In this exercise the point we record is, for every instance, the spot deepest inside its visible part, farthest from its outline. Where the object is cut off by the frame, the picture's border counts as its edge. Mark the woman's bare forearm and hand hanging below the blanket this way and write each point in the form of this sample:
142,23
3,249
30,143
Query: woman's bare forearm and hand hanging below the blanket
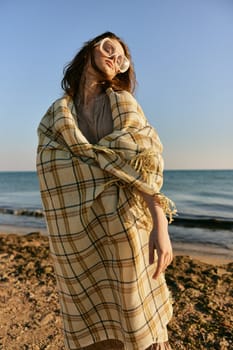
159,239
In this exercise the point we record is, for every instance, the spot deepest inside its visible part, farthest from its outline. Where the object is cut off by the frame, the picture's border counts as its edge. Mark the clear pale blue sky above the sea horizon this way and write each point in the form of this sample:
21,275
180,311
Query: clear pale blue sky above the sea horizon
183,56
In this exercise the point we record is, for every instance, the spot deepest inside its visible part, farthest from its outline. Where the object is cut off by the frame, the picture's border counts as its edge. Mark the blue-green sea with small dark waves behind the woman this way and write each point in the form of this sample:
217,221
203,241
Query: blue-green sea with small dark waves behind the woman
204,200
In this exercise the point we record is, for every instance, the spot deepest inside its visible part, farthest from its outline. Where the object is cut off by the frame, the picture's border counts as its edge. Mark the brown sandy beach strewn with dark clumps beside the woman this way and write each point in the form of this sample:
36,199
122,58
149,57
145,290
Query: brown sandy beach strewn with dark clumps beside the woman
200,282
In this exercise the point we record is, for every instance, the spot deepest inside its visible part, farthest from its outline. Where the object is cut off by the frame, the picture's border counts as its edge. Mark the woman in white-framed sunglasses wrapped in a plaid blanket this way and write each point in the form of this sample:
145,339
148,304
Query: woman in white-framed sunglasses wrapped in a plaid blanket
100,170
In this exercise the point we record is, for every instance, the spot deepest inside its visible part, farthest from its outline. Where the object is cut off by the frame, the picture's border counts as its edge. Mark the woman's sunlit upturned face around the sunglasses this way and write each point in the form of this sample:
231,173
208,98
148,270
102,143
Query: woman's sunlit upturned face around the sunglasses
107,63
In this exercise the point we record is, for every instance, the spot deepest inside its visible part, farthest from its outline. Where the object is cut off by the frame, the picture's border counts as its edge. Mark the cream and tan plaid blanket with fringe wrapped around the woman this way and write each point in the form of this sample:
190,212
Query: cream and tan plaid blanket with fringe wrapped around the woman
98,224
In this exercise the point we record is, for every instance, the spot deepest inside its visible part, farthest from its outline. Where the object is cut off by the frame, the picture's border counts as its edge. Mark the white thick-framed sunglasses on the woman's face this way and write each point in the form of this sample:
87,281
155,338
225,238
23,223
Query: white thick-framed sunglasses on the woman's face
108,49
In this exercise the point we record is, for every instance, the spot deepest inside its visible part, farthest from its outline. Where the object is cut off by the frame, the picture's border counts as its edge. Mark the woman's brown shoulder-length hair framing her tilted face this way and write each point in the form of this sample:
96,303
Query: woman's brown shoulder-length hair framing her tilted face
73,71
